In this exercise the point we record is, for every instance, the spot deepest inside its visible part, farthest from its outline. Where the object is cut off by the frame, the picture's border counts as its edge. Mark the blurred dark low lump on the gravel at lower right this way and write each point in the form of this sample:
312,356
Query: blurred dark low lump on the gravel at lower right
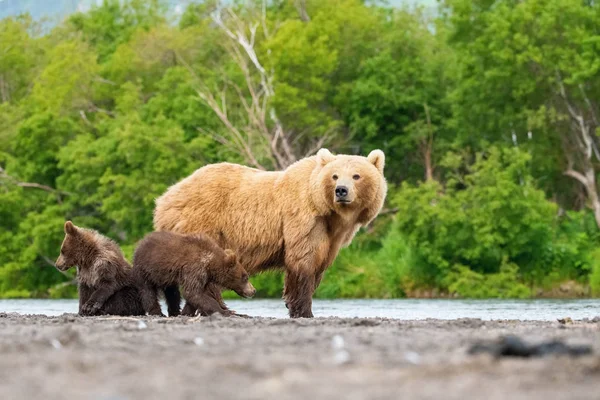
512,346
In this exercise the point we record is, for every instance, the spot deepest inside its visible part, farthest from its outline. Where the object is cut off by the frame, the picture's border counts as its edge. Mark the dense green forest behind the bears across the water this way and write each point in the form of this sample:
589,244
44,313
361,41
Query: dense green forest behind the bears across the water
487,112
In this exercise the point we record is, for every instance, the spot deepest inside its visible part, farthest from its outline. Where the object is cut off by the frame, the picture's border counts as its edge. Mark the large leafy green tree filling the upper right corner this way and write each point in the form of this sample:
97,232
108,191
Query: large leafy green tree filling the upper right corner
530,72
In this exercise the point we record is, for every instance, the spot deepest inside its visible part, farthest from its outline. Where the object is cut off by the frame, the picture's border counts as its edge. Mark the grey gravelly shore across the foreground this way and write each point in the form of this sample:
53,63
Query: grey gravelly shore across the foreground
72,357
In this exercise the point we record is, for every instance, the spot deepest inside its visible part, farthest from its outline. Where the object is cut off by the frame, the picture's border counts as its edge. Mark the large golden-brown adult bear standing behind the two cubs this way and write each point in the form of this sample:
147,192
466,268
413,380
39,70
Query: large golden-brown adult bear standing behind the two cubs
297,219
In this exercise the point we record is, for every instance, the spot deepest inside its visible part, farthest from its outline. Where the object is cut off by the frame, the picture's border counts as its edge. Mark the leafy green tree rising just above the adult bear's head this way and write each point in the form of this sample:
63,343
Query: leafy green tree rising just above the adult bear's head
398,101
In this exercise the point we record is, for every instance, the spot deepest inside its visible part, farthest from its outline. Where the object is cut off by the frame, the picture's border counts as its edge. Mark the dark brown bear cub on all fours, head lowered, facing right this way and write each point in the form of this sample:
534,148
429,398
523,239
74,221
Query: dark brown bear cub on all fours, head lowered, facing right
165,261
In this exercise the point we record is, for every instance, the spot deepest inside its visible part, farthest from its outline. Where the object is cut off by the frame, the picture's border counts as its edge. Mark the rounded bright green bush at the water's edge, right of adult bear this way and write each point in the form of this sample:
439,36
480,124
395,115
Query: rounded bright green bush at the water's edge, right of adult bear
485,230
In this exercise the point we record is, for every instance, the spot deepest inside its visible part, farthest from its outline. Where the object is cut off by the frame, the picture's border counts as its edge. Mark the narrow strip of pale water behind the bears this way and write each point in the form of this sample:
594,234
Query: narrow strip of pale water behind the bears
541,310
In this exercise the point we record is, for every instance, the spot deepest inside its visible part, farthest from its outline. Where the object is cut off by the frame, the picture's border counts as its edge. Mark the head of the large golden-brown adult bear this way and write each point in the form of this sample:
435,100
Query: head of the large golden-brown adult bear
344,183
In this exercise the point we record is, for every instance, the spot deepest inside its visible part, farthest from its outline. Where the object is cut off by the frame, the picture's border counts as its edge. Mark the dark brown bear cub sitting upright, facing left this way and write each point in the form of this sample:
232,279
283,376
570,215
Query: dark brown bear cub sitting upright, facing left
104,277
